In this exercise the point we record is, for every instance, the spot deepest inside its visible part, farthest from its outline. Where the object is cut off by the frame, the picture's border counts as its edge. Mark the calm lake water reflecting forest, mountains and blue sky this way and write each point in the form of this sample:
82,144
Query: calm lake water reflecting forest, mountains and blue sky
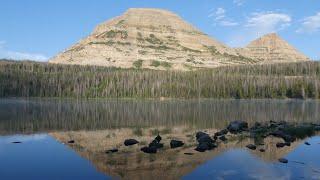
43,128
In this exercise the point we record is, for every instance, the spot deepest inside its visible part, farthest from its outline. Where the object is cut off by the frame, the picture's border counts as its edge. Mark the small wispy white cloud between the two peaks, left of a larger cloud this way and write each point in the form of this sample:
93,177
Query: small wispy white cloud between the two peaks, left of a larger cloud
219,16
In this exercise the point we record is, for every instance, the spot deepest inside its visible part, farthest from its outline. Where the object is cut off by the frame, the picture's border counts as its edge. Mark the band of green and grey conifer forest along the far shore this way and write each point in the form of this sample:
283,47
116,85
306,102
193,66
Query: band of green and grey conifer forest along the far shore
30,79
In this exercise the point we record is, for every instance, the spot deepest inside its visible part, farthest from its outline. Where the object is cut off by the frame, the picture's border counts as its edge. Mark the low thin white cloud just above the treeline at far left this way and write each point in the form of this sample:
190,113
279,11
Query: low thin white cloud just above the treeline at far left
8,54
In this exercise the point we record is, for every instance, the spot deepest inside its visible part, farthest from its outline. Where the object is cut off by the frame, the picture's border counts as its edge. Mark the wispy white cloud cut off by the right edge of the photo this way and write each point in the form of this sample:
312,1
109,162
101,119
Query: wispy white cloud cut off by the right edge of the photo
310,24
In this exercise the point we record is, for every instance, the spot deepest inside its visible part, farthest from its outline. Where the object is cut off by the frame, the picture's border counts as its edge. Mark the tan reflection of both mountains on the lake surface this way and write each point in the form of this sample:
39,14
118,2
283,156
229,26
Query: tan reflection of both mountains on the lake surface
132,163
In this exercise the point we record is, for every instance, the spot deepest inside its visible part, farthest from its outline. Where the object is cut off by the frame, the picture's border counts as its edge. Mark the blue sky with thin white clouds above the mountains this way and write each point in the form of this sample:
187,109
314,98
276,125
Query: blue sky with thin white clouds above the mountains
38,29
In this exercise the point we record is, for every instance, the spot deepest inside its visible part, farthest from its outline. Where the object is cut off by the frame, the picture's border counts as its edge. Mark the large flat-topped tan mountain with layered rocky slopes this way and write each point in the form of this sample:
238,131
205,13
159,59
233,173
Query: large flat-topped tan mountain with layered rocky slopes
149,38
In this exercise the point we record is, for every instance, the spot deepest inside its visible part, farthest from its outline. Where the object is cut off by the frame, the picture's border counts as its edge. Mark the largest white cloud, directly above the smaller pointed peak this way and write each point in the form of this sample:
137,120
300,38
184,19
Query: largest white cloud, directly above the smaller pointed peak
259,24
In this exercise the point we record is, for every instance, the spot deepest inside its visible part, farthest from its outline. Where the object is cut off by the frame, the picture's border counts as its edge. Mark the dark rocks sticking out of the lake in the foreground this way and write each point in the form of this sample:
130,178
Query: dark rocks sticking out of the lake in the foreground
283,130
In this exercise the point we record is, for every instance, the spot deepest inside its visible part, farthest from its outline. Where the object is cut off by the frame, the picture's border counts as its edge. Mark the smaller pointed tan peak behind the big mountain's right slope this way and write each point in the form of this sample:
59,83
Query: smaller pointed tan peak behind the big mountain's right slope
272,48
